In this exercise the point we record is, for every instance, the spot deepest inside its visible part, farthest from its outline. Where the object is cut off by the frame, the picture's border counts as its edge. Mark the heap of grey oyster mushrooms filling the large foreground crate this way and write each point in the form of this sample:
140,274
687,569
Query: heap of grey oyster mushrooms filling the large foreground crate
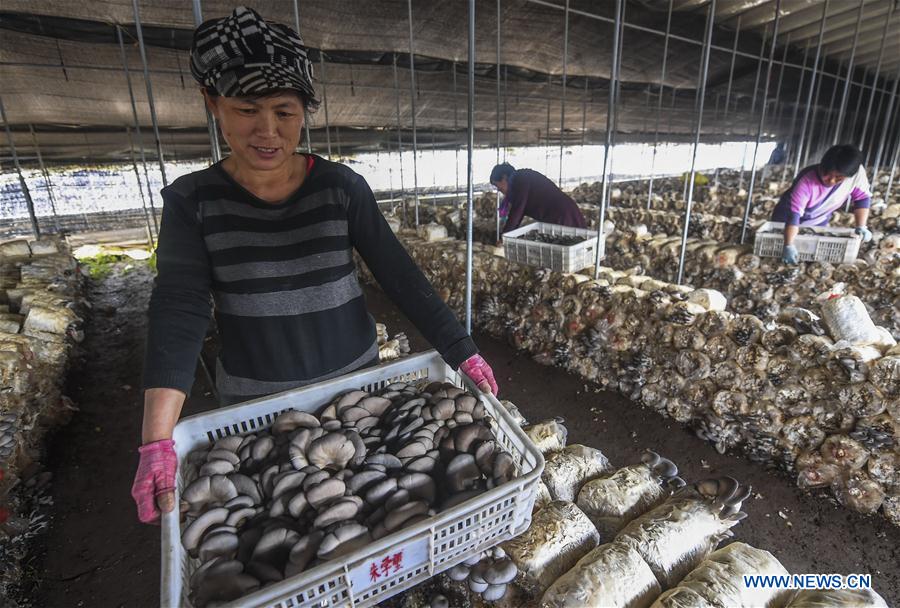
266,506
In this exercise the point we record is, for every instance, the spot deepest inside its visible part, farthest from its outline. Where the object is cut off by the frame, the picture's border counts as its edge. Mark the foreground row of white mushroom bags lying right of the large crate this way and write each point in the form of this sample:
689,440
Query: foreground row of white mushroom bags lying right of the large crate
639,536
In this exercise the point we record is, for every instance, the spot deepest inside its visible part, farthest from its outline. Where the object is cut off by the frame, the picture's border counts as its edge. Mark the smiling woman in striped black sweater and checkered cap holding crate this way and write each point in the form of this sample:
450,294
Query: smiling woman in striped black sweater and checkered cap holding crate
269,234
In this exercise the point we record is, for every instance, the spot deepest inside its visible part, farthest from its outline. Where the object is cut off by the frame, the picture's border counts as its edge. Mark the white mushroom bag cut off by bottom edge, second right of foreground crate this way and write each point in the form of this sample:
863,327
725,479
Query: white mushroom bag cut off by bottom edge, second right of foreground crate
613,574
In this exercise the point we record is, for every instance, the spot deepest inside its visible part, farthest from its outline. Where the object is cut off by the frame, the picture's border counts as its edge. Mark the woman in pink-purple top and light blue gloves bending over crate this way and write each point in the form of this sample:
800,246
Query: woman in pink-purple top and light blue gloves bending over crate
820,190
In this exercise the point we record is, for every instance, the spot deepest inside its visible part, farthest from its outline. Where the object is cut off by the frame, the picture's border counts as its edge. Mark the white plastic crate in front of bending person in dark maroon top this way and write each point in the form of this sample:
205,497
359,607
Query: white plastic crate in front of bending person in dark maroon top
562,258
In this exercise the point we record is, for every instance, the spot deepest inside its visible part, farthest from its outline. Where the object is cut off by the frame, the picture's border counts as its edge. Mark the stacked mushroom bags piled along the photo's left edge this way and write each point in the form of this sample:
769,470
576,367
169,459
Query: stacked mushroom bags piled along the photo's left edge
42,305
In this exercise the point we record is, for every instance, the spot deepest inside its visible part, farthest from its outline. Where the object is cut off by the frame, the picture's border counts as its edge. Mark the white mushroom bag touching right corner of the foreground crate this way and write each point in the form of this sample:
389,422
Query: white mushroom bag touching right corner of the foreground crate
559,536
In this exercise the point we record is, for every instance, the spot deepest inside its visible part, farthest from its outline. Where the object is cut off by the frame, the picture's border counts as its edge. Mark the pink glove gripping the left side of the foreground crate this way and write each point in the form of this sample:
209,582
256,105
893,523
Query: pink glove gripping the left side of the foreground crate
155,477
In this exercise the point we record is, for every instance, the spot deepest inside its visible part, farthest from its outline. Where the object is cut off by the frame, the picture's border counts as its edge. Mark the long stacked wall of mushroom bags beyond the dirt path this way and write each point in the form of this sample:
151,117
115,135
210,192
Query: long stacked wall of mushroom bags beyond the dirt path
814,391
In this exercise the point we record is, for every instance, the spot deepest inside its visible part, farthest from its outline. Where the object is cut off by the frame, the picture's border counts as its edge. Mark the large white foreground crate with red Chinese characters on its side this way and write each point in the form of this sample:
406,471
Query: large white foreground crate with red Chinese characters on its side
428,547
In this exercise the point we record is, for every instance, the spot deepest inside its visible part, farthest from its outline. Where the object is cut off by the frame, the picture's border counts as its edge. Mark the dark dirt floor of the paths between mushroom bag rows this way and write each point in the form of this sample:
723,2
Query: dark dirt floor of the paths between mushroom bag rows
97,554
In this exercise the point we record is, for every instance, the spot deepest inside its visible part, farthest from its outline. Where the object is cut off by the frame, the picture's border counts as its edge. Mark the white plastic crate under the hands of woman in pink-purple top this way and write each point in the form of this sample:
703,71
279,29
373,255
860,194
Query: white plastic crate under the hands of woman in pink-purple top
769,243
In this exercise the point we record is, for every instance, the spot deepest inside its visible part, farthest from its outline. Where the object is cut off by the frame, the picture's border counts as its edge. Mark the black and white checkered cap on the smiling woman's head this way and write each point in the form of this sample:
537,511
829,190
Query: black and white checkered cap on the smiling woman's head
244,55
